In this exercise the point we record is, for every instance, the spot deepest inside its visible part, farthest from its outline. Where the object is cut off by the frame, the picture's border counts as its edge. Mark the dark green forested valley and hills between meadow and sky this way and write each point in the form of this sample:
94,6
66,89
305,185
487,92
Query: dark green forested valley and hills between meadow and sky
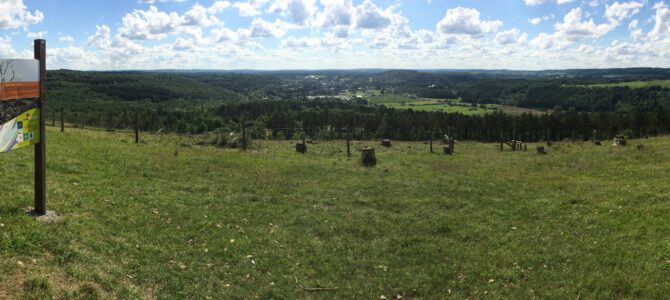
283,104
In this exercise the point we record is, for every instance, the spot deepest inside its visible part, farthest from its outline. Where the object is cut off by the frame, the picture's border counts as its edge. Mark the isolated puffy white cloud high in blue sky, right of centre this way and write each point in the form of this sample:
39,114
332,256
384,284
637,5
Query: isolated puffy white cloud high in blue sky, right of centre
466,21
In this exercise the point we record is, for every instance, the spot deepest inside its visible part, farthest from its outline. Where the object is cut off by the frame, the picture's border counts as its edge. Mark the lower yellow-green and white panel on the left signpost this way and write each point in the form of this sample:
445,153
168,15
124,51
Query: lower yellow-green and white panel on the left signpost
22,131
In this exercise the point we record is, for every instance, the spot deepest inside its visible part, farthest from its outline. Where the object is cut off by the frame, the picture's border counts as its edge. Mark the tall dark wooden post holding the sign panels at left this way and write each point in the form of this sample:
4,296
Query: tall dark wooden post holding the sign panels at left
40,148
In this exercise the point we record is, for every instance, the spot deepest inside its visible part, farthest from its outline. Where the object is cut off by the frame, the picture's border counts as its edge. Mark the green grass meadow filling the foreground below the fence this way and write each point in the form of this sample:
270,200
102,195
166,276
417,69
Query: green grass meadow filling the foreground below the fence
139,222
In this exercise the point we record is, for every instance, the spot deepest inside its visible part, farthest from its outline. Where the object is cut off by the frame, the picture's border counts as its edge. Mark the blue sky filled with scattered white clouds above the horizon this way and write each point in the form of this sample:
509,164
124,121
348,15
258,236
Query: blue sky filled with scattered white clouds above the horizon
338,34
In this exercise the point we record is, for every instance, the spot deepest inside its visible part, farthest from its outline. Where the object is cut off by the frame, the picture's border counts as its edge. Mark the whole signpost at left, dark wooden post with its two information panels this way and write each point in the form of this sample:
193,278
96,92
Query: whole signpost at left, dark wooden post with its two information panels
23,79
